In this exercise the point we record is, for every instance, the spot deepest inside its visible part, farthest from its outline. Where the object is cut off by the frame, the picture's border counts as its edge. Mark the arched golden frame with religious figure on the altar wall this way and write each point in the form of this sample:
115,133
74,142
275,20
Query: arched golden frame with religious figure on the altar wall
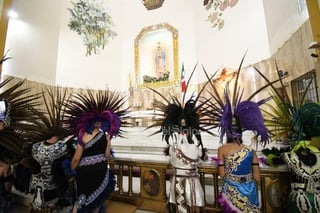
156,56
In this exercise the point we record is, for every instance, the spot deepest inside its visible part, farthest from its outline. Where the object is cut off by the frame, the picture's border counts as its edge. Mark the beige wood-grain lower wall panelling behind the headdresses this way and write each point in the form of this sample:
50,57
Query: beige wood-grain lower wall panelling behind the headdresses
293,57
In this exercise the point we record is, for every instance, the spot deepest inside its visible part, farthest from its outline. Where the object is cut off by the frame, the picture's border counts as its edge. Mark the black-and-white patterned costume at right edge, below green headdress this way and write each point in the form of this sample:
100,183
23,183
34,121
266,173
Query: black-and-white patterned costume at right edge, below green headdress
305,192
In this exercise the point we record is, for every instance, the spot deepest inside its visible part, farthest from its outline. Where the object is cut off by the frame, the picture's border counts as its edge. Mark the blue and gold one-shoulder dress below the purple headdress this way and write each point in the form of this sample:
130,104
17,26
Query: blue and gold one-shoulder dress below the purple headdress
239,193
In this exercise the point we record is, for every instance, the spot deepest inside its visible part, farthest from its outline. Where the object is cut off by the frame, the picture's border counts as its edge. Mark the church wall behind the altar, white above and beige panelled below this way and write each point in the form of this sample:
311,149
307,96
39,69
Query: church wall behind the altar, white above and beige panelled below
46,51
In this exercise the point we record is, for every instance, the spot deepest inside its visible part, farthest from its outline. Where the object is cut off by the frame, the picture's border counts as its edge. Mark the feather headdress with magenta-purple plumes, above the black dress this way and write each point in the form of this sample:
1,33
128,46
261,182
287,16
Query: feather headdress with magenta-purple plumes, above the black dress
105,106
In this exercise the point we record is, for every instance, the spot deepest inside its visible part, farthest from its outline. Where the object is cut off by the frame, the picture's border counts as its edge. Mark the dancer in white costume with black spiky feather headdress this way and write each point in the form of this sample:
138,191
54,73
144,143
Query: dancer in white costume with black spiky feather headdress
180,127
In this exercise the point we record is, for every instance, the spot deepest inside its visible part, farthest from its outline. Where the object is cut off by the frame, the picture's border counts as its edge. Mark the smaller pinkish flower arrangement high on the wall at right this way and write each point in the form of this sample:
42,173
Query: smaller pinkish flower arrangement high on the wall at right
218,6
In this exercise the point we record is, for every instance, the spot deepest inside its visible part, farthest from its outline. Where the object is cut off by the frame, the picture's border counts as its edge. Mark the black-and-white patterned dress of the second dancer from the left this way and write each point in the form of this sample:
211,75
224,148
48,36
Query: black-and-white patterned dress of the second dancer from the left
43,184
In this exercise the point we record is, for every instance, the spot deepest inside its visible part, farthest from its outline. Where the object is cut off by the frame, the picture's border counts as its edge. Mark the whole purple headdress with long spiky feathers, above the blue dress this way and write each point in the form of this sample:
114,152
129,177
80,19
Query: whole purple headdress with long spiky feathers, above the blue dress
232,115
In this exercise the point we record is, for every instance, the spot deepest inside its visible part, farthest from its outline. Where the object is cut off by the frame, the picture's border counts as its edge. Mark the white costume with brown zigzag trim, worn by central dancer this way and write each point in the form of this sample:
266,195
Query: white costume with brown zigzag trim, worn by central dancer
185,188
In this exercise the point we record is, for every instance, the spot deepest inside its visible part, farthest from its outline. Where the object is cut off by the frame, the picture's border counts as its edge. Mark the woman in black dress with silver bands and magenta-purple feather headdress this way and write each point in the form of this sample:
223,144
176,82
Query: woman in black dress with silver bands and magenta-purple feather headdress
95,119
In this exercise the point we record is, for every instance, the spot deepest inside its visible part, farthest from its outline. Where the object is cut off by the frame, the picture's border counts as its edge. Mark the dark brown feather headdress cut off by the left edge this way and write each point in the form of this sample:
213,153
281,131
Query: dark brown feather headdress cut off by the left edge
18,117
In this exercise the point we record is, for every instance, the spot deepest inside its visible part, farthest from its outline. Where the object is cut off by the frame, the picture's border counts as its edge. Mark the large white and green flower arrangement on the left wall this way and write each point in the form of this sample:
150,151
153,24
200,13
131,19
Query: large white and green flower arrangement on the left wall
92,23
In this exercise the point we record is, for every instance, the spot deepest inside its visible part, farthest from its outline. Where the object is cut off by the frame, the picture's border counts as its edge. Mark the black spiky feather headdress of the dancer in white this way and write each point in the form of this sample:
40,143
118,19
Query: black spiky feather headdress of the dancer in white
173,111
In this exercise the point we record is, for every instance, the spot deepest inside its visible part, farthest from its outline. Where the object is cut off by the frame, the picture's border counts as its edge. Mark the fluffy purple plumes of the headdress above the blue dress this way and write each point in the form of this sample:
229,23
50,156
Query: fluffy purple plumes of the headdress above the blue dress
244,115
